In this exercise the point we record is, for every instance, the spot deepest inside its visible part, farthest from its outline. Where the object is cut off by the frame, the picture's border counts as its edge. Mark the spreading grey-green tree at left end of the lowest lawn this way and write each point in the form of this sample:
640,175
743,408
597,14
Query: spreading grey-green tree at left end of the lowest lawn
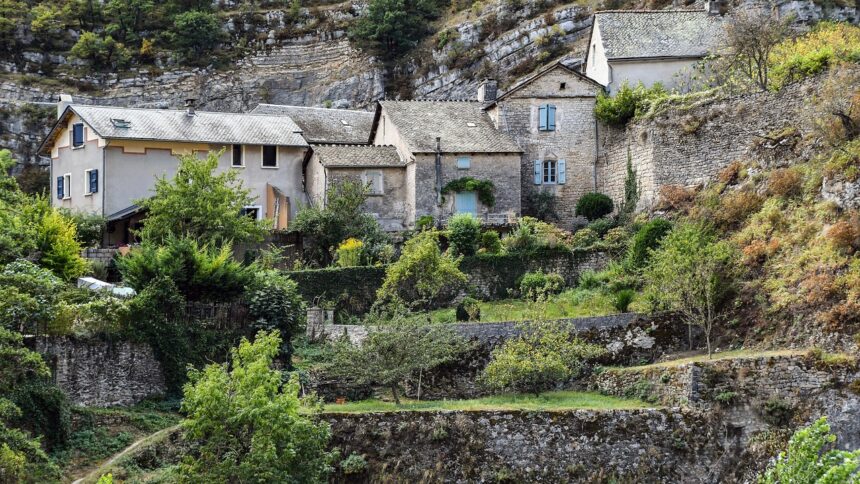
395,351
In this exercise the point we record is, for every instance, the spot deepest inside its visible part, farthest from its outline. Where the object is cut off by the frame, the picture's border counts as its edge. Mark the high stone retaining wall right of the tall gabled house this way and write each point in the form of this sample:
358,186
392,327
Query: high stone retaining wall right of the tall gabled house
690,146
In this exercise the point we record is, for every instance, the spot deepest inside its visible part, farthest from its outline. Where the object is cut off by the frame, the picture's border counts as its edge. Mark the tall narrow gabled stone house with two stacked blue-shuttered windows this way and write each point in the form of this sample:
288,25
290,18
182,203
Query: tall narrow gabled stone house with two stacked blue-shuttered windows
550,115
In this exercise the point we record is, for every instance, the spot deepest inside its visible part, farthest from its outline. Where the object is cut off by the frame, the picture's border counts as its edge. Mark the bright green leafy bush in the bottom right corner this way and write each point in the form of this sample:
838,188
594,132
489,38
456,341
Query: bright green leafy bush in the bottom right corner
811,459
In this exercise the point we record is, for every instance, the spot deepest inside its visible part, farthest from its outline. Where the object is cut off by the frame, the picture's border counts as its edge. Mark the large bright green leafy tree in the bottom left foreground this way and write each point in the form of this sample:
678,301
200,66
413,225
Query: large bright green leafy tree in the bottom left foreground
246,422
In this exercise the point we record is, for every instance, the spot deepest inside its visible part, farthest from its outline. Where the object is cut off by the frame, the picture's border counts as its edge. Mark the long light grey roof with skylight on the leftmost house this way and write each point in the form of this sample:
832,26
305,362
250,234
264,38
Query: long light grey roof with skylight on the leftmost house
202,127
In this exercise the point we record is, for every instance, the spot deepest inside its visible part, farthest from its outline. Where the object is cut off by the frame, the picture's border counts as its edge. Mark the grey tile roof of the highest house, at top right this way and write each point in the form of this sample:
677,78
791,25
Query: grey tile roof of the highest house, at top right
668,33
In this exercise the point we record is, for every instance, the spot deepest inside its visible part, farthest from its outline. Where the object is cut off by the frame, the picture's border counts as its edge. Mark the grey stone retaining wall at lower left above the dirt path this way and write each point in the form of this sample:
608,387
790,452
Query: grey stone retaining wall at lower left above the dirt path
102,373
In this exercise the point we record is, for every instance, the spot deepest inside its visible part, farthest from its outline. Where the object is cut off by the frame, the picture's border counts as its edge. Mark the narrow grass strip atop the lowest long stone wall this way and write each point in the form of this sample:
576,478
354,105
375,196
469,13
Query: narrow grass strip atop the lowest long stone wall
552,401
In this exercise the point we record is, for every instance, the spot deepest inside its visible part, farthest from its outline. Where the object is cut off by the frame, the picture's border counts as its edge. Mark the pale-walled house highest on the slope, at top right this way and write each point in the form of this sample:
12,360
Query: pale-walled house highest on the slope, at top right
651,46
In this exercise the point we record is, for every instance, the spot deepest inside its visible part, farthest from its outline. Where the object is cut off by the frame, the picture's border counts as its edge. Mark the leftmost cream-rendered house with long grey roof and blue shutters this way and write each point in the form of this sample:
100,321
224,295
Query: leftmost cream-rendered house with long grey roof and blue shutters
104,158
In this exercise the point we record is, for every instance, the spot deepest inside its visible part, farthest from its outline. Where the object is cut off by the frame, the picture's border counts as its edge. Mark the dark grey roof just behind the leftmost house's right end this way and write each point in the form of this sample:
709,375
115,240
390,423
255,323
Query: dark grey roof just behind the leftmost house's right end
322,125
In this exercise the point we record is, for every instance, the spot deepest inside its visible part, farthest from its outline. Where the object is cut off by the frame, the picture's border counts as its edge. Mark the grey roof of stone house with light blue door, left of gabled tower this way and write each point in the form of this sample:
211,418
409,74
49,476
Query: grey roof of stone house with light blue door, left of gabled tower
463,127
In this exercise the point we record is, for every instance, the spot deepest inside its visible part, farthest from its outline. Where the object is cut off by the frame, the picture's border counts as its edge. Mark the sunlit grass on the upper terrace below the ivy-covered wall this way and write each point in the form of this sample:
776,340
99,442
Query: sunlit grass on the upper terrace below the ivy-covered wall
572,303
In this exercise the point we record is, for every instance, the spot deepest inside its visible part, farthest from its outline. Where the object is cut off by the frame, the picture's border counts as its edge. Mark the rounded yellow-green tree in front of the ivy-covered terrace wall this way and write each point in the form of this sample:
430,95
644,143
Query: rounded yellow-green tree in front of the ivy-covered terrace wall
423,276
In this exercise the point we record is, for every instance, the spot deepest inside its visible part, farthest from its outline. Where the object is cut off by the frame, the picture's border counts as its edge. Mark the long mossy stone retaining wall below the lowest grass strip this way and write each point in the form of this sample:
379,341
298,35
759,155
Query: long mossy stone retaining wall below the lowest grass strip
572,446
